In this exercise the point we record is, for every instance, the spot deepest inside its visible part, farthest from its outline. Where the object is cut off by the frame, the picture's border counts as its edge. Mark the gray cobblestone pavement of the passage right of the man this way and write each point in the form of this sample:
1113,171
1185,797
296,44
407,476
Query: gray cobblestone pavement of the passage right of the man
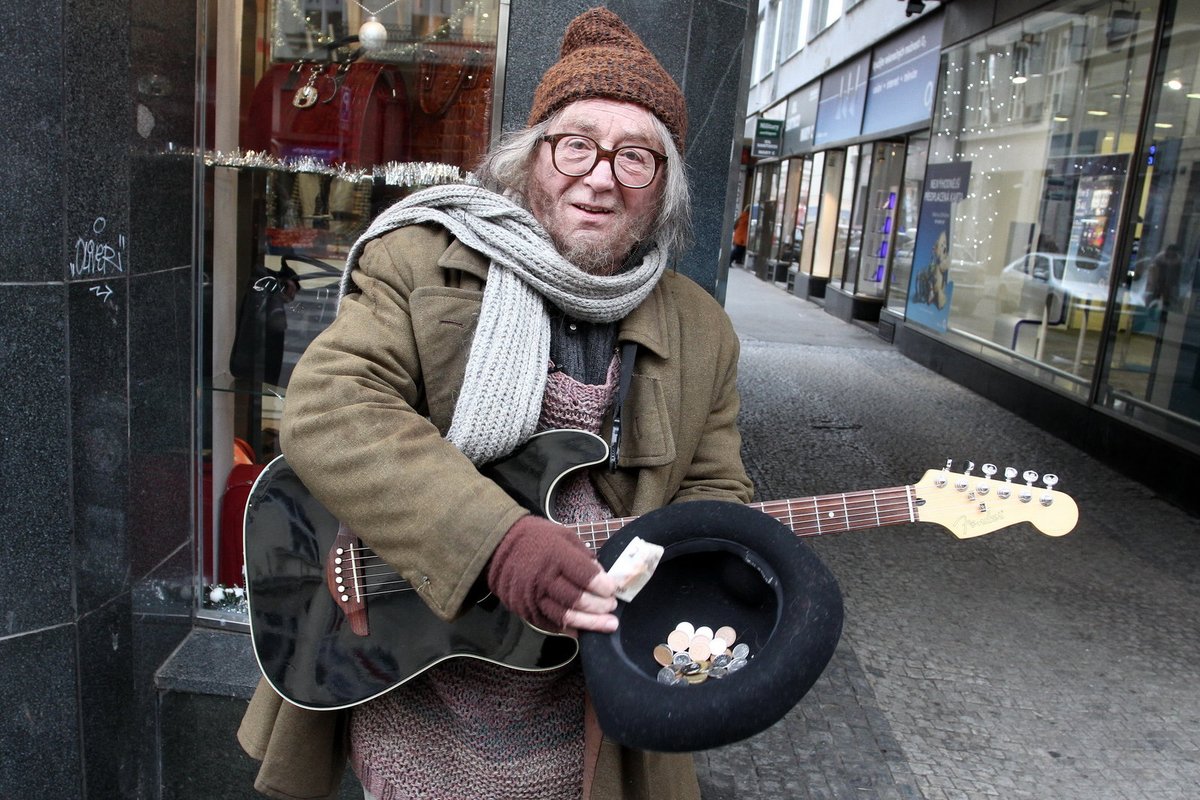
1010,666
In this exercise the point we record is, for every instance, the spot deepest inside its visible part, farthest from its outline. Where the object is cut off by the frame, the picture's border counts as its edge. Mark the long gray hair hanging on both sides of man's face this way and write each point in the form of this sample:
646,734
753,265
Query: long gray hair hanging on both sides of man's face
509,163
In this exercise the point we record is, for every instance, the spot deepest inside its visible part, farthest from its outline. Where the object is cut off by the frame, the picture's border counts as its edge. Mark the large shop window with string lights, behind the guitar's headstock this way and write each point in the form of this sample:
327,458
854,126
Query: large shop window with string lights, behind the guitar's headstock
1034,143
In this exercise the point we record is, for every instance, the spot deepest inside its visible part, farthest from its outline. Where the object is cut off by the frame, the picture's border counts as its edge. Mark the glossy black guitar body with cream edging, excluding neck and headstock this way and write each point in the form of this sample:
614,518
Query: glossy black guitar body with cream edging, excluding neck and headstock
304,640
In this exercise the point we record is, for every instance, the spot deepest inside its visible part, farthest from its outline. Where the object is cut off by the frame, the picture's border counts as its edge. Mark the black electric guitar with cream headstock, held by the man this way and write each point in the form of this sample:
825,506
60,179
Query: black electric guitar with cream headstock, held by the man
333,625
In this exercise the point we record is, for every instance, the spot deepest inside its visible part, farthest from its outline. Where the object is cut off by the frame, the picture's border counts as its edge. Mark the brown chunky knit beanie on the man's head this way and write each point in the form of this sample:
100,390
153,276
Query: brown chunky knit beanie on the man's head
603,58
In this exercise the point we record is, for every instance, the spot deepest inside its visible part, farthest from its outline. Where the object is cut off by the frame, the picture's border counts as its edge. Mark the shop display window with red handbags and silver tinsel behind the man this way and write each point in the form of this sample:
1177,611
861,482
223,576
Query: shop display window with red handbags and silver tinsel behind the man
317,116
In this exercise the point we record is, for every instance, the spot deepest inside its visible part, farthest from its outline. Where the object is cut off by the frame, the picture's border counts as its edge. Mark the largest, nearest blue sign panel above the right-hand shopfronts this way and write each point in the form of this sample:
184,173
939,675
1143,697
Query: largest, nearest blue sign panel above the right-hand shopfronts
904,77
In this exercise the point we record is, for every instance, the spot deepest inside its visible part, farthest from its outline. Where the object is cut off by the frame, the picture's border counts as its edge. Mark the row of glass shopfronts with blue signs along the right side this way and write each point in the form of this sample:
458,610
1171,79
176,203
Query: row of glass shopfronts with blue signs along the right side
1005,191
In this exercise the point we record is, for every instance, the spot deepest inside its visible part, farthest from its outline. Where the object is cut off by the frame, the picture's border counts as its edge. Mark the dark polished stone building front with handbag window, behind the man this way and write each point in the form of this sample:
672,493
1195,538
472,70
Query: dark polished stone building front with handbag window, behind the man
185,177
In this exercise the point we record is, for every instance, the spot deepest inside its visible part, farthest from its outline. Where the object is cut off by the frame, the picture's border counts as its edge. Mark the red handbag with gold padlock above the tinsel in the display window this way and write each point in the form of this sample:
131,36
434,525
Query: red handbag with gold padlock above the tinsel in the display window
349,113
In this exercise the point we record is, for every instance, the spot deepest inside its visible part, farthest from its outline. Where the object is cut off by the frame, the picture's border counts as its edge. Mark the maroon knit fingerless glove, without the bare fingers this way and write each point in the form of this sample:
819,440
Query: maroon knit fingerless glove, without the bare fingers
541,570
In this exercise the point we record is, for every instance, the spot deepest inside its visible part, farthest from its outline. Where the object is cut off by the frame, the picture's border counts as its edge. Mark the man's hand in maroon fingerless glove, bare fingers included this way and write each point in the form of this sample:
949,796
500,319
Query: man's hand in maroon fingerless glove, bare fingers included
545,575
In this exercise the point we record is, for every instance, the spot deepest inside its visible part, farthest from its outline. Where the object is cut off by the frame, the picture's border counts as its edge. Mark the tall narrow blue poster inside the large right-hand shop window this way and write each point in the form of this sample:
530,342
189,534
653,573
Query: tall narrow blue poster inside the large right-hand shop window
932,287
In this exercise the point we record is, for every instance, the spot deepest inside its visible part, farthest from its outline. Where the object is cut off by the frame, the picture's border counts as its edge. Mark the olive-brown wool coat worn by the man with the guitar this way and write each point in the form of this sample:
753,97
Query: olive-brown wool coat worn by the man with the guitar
376,390
